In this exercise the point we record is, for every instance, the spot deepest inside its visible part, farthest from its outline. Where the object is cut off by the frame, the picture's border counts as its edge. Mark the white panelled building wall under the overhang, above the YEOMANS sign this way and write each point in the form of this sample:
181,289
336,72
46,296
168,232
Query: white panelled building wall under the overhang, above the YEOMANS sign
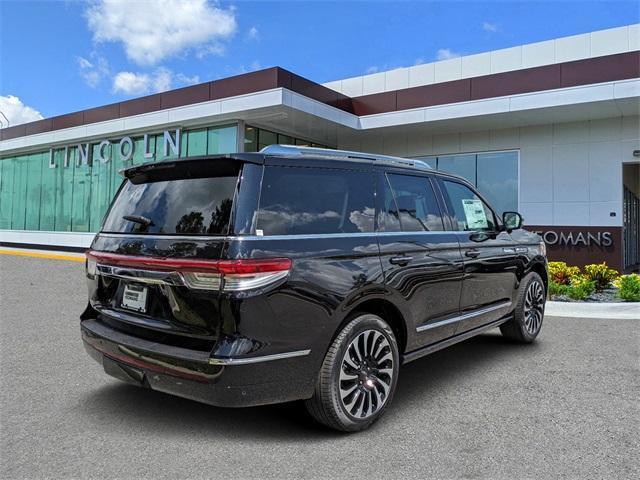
570,173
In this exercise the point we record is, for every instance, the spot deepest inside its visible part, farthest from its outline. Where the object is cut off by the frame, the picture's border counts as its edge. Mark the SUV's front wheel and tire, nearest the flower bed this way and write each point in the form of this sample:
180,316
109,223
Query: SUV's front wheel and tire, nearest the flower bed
526,323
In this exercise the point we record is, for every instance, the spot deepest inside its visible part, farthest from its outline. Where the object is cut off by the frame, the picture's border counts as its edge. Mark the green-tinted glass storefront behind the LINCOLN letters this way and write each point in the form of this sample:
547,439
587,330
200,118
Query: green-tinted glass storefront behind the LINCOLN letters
74,197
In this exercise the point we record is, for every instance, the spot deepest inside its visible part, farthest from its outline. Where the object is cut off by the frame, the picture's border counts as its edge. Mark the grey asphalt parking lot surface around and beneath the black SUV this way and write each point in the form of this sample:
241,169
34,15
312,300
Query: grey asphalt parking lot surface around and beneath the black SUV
567,406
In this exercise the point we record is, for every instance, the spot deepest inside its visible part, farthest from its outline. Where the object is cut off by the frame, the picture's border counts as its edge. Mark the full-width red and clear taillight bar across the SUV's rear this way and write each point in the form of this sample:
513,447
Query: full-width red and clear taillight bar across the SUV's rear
203,274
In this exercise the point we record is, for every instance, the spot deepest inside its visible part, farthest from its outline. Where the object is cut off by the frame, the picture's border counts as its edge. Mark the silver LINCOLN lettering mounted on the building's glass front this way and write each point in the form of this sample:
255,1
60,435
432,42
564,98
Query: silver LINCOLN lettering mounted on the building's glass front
124,149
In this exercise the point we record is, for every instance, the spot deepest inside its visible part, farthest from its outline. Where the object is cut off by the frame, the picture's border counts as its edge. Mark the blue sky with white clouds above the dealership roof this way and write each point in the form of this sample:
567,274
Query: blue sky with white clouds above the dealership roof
62,56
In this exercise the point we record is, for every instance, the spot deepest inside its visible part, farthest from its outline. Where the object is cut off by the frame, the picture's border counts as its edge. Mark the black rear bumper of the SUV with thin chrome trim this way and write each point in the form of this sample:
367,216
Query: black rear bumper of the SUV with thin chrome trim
225,382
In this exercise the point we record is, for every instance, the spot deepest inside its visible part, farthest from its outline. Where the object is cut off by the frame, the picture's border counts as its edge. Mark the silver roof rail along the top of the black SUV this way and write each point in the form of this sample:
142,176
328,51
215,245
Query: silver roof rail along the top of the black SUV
295,151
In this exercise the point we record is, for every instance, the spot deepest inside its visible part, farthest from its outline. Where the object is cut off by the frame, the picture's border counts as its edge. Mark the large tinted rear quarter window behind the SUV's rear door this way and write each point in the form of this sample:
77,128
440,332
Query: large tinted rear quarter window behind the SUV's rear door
297,200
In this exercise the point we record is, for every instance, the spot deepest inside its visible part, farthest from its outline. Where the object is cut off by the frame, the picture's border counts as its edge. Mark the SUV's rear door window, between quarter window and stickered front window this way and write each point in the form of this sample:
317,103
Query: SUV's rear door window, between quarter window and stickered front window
417,207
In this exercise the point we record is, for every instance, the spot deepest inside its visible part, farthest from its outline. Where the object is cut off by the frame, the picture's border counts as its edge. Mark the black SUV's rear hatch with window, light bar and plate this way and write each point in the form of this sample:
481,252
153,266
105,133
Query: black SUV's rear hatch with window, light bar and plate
155,269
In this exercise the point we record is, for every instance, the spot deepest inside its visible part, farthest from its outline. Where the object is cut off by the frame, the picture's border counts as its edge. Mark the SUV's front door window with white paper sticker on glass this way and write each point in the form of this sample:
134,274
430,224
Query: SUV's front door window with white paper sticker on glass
469,211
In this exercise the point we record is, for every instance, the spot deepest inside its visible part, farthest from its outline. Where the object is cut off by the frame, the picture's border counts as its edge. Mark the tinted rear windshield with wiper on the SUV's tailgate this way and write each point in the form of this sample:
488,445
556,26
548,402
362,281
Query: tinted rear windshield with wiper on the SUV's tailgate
181,206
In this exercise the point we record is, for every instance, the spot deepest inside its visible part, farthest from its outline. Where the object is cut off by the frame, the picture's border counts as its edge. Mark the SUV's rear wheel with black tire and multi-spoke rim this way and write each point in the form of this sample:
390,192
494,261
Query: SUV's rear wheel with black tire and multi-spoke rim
351,393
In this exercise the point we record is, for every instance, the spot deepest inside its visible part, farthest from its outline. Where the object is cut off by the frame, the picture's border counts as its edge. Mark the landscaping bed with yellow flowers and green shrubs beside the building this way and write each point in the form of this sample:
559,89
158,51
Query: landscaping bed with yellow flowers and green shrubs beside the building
594,283
